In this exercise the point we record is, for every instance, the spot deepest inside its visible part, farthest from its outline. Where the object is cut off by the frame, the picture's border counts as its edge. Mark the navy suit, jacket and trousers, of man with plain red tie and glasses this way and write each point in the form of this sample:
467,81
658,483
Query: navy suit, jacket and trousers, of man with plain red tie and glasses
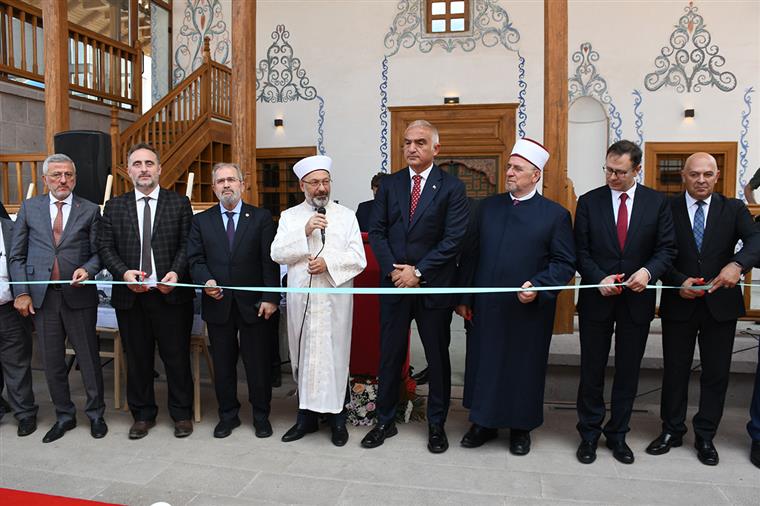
650,243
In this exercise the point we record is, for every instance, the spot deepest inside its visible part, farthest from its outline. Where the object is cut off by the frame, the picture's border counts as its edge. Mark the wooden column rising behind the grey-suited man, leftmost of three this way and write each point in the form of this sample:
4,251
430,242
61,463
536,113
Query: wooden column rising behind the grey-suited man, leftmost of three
56,36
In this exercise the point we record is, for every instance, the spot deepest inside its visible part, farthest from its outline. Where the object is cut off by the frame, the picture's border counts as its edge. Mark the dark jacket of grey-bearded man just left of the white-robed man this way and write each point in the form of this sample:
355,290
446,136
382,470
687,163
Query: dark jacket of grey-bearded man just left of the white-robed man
248,264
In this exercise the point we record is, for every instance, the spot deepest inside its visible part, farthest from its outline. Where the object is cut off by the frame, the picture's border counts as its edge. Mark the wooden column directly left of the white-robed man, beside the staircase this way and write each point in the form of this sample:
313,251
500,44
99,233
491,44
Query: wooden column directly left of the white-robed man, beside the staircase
244,93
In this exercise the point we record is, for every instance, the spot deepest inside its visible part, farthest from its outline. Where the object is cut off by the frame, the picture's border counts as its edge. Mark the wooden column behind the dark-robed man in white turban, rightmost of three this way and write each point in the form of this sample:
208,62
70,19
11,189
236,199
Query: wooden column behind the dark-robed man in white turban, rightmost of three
555,183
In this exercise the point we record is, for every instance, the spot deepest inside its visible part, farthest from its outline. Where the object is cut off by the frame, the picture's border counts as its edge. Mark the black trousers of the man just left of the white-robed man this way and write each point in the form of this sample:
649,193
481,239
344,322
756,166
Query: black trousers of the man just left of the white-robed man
254,348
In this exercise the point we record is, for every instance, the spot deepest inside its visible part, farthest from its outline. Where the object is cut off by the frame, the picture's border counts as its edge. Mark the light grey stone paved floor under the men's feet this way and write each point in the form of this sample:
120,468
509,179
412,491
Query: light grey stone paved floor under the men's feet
242,470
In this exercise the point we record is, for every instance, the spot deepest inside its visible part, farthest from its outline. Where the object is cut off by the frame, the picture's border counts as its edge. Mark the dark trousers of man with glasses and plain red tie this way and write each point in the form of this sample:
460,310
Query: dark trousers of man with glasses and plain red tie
596,339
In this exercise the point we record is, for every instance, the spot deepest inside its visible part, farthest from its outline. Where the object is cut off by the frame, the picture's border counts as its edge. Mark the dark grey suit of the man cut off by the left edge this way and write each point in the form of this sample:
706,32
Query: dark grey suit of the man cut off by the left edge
15,348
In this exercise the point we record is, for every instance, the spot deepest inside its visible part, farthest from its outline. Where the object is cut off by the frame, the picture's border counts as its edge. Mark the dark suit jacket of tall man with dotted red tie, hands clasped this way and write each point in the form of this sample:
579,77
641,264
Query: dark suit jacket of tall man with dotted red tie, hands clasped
431,241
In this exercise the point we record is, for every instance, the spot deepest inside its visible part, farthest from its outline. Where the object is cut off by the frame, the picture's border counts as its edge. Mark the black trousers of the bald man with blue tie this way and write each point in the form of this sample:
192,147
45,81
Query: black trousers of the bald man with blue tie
716,343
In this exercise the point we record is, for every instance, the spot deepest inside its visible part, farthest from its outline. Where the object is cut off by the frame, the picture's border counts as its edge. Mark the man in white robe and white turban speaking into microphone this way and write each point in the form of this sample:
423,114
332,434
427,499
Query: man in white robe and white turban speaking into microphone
320,243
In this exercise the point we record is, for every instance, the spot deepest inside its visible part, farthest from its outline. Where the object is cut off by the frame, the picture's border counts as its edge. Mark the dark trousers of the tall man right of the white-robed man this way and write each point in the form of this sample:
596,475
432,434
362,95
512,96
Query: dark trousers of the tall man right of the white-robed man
434,326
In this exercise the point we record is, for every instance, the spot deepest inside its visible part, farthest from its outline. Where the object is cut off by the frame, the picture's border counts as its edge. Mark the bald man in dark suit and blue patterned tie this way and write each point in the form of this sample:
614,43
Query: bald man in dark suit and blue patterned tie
708,226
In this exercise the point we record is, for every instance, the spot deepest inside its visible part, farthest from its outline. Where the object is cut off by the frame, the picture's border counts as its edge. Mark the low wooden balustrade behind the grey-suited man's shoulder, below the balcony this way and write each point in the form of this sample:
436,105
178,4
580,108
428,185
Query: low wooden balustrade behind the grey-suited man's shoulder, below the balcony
16,171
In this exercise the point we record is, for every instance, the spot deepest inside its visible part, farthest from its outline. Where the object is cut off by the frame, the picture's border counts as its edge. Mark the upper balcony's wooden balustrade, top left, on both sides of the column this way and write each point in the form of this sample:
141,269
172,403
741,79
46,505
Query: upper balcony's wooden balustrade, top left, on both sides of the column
102,69
